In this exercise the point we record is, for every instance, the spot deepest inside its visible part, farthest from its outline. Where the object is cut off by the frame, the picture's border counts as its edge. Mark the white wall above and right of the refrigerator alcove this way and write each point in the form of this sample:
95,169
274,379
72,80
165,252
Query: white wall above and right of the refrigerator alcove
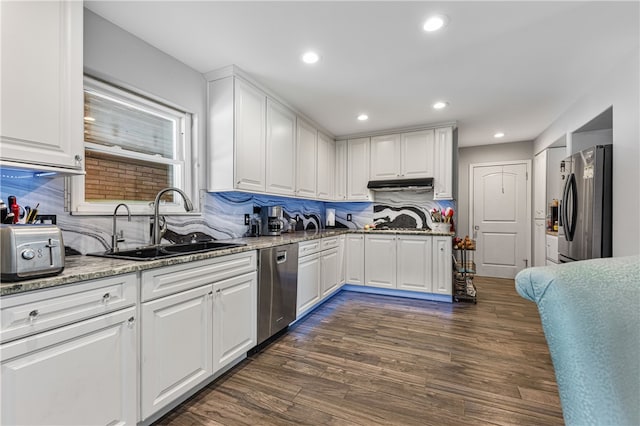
620,89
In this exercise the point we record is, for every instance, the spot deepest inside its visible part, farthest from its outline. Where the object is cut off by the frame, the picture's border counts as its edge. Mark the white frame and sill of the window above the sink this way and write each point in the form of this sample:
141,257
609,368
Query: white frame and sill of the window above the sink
185,175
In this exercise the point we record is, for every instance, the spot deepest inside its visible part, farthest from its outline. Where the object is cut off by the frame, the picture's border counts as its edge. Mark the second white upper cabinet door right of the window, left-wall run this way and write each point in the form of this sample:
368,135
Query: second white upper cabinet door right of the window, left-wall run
280,151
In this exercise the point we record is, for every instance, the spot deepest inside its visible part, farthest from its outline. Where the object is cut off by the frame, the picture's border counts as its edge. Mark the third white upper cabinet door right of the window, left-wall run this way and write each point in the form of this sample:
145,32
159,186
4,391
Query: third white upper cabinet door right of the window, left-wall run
307,159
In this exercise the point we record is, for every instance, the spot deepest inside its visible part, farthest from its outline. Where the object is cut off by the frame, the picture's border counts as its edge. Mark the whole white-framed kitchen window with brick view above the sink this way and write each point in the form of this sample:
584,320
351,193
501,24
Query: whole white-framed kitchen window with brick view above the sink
134,147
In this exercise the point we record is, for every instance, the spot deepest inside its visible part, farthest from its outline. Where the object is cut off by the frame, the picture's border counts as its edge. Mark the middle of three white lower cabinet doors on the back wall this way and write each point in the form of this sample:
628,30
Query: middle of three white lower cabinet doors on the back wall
415,257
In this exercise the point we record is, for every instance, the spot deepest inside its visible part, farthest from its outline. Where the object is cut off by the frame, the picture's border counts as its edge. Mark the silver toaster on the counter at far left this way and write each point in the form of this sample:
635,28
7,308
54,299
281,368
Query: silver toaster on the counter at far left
30,251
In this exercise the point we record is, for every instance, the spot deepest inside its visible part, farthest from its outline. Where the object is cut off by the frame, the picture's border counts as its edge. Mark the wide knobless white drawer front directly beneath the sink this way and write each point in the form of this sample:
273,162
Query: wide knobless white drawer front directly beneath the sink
172,279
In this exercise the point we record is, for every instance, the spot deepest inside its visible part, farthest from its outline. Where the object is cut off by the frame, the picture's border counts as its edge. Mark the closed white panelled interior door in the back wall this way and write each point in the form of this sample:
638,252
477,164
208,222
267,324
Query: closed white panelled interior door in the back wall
500,217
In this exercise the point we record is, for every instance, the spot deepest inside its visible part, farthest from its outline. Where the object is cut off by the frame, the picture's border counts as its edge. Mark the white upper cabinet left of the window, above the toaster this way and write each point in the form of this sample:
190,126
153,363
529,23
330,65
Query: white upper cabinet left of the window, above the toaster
42,98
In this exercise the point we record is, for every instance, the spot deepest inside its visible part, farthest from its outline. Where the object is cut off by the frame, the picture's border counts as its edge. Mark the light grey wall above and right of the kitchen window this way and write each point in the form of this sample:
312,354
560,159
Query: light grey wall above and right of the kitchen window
114,55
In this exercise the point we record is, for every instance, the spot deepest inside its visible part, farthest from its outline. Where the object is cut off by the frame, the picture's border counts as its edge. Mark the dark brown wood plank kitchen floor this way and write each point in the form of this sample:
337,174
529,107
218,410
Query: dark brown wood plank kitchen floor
367,359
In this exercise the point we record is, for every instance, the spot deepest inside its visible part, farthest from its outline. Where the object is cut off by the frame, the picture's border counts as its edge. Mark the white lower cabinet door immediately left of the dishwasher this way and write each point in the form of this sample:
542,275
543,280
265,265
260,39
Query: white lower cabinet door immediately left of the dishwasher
234,318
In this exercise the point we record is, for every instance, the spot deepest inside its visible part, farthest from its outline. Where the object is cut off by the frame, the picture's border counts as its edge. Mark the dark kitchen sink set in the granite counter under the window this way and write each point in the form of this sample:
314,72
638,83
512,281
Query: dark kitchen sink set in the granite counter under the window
164,251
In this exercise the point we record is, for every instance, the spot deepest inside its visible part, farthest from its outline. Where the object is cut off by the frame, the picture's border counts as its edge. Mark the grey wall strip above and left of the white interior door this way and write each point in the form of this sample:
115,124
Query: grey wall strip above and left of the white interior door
483,154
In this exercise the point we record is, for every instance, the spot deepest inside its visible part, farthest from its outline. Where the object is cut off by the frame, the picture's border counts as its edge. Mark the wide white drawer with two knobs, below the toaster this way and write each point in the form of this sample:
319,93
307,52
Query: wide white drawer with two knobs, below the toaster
31,313
